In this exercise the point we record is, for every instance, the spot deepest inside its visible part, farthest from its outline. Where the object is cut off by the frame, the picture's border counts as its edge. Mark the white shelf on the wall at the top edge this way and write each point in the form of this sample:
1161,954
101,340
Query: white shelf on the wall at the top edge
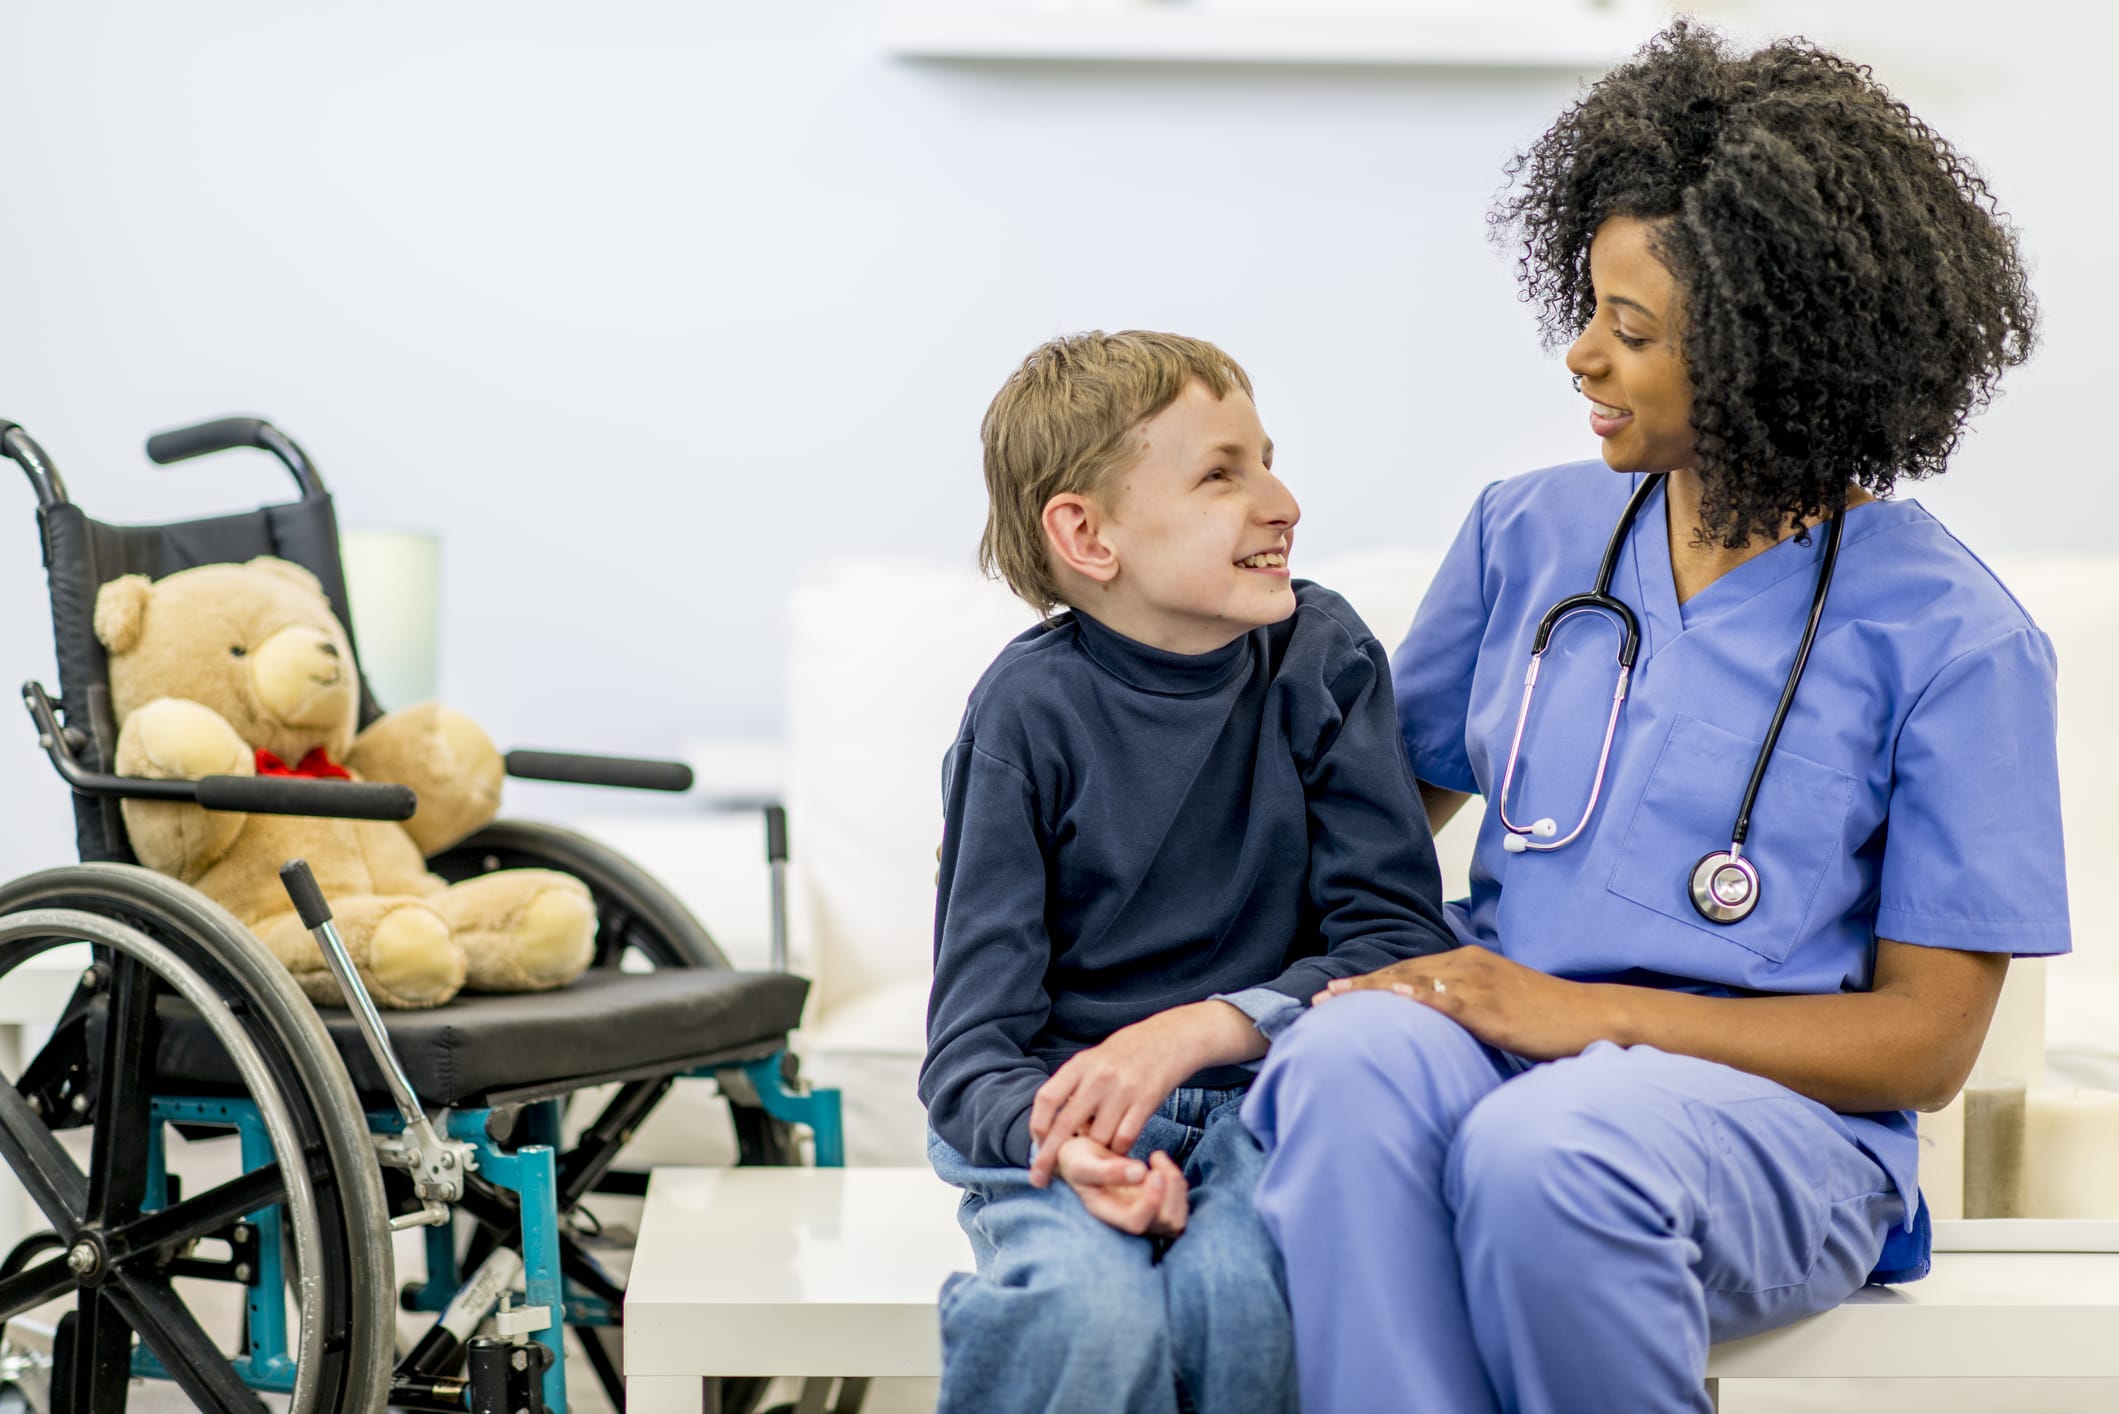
1499,37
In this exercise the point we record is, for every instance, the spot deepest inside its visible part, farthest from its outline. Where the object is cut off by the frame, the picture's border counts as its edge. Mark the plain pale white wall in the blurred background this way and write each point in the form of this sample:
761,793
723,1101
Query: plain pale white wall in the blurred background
643,304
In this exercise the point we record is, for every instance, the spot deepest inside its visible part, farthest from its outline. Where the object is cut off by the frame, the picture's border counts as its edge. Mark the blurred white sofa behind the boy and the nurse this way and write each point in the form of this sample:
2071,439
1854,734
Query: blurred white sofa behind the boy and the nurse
885,652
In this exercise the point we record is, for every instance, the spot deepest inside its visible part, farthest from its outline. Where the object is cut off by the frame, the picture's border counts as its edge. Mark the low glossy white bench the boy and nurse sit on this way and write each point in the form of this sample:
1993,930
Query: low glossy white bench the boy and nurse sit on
832,1273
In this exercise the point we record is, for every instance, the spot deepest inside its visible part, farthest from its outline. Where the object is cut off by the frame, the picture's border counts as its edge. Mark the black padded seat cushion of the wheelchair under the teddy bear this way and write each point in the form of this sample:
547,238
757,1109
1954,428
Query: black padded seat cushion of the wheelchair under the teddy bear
497,1050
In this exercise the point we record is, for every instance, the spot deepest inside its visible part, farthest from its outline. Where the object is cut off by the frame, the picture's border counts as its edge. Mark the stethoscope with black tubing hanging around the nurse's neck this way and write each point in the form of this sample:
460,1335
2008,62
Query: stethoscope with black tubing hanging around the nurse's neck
1724,885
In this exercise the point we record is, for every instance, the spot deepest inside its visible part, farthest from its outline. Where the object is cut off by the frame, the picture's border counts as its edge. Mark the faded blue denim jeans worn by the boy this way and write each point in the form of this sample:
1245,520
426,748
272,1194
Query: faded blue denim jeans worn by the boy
1069,1313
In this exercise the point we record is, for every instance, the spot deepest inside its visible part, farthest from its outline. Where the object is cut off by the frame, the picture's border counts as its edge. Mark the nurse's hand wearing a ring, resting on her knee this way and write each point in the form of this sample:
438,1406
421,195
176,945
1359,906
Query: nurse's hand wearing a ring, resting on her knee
1506,1004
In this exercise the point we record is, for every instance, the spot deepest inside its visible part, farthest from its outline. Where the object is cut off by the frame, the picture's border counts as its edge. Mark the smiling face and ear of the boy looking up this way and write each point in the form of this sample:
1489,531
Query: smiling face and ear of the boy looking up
1190,548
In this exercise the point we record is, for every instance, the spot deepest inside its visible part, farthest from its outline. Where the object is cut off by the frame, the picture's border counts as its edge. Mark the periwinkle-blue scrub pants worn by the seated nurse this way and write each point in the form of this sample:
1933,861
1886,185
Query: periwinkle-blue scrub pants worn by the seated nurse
1465,1231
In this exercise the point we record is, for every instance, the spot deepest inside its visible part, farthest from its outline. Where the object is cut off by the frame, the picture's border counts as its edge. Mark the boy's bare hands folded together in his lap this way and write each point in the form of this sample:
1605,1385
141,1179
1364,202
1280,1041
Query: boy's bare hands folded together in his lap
1088,1116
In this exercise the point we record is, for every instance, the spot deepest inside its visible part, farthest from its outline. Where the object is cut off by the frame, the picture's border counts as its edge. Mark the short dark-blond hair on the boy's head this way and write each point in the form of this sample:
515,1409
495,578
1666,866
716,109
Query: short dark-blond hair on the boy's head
1065,423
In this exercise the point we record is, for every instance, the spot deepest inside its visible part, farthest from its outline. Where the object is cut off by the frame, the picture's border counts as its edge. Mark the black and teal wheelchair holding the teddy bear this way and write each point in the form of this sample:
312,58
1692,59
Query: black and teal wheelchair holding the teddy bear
455,1120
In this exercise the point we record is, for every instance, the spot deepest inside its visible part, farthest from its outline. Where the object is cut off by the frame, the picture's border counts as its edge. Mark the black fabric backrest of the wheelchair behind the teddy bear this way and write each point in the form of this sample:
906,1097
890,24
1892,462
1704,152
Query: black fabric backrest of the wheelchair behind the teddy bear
82,556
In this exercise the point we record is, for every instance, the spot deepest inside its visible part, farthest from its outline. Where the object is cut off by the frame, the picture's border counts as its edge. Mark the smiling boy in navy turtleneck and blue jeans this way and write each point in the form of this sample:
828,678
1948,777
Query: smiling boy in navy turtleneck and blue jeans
1175,813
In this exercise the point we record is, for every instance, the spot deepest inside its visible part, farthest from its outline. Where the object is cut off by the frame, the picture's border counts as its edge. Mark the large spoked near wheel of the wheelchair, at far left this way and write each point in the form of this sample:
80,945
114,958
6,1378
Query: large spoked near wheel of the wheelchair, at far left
160,944
